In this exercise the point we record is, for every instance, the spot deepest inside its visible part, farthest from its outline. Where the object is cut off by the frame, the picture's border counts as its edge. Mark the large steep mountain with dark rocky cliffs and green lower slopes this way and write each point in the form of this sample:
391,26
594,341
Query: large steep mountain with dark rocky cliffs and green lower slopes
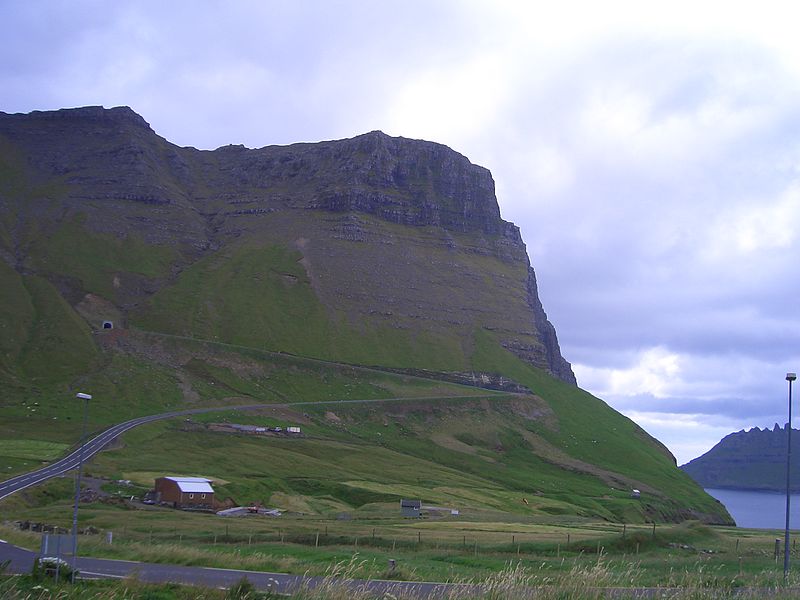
375,267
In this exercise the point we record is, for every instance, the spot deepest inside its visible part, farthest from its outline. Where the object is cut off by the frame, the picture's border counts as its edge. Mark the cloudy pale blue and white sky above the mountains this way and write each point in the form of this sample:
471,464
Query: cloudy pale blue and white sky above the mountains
649,152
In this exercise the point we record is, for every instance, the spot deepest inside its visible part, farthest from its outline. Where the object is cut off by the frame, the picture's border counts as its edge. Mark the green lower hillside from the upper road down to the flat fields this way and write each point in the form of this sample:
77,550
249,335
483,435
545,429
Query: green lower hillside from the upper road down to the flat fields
410,437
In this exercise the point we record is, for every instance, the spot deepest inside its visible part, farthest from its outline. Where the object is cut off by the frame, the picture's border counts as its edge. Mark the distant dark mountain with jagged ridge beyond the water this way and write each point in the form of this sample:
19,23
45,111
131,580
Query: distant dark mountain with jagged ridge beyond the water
749,460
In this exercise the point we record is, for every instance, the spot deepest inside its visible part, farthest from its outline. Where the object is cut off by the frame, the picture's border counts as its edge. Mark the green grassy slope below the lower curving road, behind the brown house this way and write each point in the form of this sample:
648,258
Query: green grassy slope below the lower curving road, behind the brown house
470,454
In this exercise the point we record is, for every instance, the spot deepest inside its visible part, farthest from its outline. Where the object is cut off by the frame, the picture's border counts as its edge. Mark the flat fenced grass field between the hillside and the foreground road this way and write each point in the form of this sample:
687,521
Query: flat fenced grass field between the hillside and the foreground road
691,556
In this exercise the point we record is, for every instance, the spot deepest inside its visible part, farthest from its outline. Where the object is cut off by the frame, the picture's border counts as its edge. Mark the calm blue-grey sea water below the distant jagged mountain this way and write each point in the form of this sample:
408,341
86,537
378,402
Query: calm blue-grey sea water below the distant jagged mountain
759,510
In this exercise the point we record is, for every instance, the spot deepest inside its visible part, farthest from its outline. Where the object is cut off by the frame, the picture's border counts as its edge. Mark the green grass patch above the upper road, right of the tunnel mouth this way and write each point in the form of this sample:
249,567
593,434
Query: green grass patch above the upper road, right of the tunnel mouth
261,296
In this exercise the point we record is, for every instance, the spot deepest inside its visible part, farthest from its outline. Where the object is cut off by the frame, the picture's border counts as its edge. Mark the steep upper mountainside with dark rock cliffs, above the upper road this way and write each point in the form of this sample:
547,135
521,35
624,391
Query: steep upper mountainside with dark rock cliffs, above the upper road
389,234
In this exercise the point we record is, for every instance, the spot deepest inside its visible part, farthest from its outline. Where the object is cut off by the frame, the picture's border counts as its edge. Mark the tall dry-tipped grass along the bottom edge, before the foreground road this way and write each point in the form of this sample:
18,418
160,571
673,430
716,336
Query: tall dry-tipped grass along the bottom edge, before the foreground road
343,581
